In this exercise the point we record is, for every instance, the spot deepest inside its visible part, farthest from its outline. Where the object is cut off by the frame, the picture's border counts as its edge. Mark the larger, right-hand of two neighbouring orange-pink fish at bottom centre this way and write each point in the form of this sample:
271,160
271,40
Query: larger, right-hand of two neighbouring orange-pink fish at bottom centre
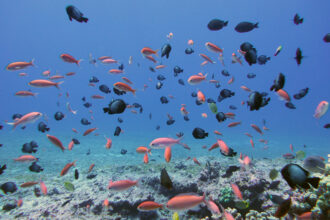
185,201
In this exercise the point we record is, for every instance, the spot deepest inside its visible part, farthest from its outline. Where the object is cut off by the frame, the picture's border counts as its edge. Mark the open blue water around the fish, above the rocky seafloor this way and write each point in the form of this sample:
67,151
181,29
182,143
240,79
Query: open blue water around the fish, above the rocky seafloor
42,30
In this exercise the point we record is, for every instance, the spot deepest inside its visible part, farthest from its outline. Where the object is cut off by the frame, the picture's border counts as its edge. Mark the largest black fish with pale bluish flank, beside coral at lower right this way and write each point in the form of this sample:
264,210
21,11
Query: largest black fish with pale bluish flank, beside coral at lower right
295,176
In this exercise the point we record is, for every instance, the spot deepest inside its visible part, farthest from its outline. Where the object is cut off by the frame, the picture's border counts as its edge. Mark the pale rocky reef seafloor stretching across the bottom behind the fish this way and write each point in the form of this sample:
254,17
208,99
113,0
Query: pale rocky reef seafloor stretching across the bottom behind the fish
211,178
